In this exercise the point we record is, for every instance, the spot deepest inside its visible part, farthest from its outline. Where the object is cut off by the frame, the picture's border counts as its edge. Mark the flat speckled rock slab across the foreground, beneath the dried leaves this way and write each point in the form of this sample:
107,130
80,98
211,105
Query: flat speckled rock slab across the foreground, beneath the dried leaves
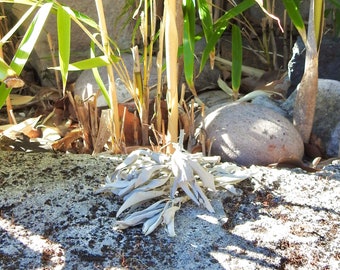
50,218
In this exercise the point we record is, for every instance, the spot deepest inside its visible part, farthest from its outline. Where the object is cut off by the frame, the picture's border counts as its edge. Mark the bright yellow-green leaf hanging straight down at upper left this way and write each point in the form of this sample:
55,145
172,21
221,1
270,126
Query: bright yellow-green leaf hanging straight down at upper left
64,39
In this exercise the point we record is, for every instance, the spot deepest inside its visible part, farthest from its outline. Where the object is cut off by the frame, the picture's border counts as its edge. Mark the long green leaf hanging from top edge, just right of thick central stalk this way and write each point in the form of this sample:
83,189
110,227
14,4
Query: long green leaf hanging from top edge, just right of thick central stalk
189,43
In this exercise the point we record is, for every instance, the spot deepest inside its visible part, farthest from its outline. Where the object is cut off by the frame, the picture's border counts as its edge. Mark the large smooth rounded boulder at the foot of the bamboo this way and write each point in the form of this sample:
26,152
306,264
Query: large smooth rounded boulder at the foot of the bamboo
250,134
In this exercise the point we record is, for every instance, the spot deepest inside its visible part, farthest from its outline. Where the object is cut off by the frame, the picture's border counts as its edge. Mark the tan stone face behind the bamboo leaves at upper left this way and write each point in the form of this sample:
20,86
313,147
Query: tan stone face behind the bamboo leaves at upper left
118,30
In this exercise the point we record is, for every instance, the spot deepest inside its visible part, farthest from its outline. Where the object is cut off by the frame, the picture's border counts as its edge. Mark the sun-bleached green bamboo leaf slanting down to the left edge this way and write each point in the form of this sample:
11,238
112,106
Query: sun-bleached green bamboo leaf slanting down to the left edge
26,46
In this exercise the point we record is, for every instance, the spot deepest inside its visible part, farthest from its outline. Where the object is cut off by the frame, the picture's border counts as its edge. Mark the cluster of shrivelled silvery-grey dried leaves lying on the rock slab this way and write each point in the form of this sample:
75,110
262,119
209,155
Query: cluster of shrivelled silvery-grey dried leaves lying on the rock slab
133,179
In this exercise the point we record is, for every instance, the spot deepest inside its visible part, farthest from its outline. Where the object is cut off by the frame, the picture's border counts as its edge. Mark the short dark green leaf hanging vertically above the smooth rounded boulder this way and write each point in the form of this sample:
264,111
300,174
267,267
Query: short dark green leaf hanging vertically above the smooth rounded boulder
236,67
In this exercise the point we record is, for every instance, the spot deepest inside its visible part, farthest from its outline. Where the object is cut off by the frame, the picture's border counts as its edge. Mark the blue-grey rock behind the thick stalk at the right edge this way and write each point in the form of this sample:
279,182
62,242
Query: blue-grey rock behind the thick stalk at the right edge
327,115
